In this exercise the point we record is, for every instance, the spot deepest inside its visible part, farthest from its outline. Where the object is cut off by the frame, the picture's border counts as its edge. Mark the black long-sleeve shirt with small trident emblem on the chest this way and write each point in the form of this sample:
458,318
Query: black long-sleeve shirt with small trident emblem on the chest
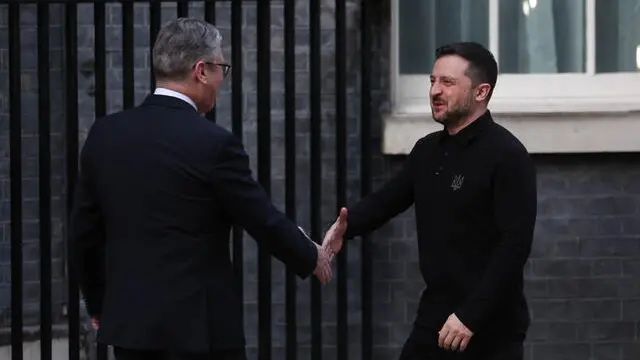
475,210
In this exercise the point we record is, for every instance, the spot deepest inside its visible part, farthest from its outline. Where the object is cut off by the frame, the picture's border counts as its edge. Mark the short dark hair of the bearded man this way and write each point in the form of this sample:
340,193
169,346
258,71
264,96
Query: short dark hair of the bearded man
483,67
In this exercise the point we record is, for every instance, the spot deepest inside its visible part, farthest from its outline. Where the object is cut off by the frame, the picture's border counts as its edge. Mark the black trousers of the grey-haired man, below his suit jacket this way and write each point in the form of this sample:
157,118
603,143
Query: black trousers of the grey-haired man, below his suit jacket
131,354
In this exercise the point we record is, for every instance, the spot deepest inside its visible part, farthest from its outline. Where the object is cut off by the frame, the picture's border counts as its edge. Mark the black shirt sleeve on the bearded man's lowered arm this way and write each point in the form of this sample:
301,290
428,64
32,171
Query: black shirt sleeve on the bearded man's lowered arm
515,207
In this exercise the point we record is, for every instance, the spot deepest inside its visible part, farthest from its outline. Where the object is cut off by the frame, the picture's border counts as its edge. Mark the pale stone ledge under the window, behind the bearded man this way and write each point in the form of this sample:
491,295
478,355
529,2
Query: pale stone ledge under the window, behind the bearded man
551,133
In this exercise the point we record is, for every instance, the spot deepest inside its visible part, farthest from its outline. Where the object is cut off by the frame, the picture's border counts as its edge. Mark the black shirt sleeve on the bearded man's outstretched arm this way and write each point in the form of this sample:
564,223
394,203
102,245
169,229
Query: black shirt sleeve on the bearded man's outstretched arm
377,208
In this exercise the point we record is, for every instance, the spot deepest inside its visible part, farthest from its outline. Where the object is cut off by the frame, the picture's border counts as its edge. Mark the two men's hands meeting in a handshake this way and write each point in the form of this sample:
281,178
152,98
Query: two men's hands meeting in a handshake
331,245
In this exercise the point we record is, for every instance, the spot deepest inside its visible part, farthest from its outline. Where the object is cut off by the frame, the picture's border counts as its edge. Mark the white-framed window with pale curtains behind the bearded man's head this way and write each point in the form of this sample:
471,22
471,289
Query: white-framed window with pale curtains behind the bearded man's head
554,56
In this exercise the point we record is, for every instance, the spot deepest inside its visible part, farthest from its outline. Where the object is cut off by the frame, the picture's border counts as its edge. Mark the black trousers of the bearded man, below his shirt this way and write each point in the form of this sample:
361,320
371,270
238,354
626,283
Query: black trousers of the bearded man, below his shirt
422,344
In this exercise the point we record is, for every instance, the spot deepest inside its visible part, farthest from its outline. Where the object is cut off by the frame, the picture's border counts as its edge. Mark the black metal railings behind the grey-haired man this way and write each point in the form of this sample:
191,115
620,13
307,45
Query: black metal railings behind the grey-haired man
264,156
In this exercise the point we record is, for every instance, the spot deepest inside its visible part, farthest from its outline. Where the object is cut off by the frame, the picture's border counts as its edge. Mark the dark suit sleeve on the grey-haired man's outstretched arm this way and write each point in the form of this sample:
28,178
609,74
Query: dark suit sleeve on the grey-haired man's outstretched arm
249,206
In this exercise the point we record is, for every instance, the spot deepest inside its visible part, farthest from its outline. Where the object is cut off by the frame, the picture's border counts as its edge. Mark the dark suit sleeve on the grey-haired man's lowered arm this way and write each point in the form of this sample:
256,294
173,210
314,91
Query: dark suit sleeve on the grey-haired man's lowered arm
87,238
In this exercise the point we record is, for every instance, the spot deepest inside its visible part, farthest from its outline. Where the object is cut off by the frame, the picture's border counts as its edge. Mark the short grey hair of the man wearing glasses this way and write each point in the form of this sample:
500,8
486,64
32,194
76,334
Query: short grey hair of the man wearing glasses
180,44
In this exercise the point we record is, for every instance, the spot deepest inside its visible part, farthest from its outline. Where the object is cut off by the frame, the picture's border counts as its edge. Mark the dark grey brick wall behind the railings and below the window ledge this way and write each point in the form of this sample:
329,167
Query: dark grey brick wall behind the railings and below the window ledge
583,273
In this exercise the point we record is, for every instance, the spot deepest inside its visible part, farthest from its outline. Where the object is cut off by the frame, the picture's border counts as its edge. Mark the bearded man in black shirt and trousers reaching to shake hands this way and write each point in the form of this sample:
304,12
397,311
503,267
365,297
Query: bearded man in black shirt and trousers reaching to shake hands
473,185
